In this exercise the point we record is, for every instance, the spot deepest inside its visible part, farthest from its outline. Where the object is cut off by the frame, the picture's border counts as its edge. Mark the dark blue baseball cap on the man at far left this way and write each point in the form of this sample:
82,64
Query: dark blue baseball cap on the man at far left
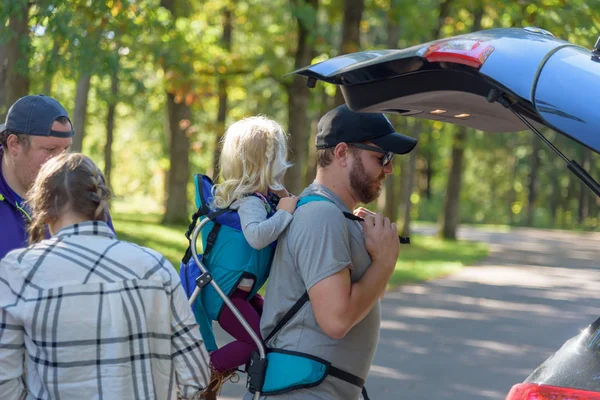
34,115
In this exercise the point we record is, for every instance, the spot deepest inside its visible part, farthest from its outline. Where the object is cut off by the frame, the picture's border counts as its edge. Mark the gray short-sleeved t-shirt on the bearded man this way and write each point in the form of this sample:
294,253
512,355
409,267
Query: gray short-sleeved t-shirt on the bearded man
318,243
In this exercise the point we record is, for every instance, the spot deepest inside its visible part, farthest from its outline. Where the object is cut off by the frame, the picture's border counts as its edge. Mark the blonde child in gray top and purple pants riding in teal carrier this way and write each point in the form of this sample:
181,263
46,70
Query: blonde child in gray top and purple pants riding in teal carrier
252,164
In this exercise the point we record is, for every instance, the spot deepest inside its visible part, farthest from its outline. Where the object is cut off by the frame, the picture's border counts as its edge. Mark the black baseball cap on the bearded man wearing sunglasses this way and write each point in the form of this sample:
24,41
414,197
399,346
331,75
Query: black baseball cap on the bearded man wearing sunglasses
343,125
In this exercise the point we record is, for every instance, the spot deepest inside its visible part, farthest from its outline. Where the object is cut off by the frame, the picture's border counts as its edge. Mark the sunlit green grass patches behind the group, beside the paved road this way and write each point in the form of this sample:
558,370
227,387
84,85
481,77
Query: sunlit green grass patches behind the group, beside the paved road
424,259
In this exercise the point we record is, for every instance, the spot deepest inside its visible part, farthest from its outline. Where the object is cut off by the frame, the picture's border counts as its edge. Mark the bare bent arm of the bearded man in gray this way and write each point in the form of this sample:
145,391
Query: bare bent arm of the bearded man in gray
338,303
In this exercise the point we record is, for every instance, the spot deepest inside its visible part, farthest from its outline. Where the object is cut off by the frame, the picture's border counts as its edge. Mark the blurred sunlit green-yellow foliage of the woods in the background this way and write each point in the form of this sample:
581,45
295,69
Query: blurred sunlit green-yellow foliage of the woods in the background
154,51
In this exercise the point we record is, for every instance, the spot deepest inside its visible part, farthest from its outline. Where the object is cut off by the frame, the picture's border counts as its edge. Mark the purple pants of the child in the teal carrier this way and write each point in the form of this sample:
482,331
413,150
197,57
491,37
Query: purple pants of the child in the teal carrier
238,352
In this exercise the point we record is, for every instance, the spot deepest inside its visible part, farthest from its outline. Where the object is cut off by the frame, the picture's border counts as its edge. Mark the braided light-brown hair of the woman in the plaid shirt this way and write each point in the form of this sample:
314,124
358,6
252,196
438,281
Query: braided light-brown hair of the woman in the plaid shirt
68,182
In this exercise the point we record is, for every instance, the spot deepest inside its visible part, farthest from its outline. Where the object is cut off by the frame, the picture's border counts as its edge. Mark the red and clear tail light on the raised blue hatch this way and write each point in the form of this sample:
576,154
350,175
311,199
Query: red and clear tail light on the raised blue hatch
460,51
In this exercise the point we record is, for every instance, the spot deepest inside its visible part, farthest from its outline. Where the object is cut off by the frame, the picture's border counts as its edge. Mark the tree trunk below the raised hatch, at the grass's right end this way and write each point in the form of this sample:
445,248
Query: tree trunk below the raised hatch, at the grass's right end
451,216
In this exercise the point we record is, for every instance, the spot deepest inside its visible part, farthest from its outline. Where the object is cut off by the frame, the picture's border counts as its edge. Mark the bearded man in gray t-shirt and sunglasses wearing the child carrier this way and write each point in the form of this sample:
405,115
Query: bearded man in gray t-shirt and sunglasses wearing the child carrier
344,265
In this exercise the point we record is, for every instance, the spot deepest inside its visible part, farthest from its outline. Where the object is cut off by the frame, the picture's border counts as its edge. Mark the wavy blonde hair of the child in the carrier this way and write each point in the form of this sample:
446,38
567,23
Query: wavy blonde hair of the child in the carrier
253,159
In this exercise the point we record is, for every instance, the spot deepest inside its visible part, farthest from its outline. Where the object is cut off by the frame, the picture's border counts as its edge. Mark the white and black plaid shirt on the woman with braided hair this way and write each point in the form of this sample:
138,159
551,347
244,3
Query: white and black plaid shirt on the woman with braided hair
96,318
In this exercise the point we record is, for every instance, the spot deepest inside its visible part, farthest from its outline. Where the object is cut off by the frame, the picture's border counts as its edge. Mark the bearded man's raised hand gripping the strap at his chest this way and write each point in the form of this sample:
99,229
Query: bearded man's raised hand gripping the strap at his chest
381,239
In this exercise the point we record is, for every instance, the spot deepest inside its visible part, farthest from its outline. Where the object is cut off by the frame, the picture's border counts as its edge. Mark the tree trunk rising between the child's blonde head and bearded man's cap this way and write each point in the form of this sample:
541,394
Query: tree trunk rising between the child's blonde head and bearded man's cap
298,99
